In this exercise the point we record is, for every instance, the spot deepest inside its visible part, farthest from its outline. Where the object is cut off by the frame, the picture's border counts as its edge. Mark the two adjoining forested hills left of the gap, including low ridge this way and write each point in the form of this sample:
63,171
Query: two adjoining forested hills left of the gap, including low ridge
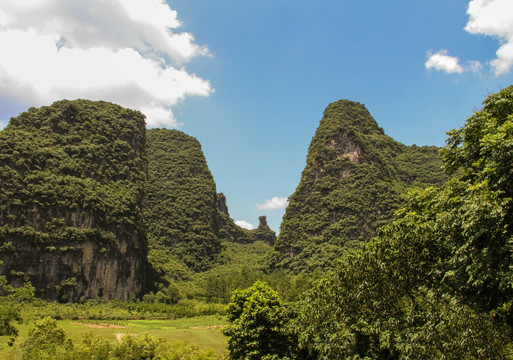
81,191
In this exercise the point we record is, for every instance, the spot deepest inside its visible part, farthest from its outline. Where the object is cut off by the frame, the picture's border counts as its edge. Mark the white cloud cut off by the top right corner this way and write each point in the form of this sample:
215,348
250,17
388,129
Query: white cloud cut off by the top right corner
494,18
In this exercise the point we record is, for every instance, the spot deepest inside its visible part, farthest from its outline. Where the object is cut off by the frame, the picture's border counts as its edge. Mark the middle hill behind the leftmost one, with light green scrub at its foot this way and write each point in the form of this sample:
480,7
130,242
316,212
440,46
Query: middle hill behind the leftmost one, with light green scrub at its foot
195,248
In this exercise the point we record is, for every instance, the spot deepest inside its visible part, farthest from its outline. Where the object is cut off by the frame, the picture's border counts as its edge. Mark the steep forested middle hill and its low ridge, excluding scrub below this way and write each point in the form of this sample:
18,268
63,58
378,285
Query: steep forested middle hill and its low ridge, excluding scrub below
187,221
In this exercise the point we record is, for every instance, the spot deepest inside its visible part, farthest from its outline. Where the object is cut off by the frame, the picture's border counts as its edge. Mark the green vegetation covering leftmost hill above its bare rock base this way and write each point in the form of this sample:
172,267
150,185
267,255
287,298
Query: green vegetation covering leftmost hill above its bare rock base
79,159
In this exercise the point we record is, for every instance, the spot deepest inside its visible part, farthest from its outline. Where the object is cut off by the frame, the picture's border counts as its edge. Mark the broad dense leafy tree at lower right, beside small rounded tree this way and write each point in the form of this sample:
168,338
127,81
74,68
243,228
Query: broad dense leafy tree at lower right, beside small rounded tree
381,304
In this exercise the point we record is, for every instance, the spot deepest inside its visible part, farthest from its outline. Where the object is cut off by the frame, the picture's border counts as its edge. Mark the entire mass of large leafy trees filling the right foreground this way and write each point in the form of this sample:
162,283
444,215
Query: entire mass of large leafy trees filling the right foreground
436,281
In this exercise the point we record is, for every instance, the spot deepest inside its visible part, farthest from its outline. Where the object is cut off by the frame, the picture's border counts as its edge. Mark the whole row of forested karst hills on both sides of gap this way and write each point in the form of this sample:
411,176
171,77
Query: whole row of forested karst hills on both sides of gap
84,182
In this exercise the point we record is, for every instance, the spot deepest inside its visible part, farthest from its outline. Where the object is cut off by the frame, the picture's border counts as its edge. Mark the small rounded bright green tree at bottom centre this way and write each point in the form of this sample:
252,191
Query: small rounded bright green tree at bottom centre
257,324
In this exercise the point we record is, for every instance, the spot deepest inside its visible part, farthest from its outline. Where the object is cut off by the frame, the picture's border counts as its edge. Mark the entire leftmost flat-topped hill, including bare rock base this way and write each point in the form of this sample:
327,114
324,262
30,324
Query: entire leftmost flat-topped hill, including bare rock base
71,189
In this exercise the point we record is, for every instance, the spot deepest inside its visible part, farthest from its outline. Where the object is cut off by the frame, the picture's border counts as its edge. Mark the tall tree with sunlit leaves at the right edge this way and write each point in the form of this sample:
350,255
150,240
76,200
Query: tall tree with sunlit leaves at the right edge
480,158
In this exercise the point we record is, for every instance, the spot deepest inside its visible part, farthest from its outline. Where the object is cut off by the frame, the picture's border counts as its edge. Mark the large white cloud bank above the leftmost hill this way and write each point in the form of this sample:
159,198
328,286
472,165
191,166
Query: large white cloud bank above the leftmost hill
126,51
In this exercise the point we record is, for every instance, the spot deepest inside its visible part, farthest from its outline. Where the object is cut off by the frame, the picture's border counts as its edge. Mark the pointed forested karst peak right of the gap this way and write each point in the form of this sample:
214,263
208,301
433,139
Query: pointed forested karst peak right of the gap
355,178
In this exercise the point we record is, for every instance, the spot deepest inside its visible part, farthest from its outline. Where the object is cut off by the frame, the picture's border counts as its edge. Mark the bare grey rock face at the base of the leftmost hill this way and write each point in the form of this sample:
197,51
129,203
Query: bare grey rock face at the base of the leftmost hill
76,270
